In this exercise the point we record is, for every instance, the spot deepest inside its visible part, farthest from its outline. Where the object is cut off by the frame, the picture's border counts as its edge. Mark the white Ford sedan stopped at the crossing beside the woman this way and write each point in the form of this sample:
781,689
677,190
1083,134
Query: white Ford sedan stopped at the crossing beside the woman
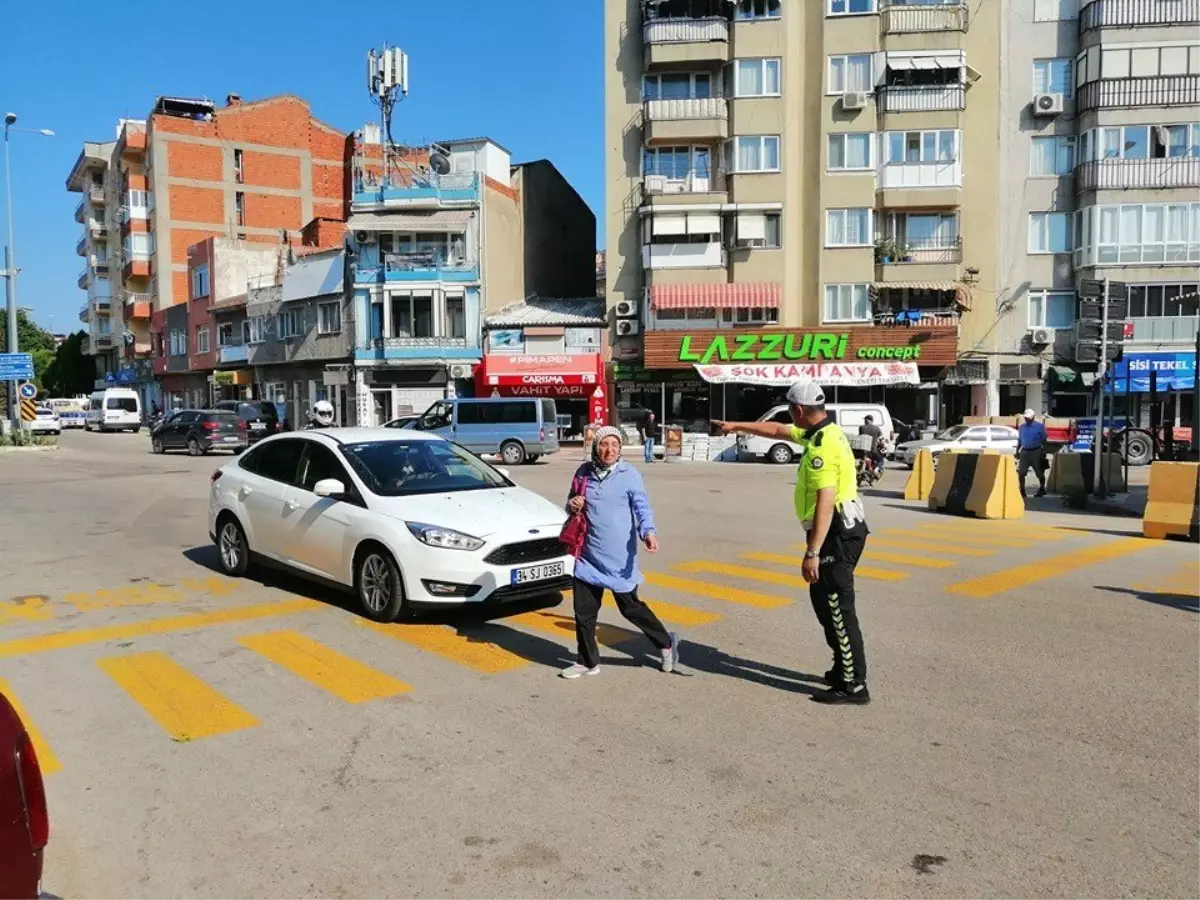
403,518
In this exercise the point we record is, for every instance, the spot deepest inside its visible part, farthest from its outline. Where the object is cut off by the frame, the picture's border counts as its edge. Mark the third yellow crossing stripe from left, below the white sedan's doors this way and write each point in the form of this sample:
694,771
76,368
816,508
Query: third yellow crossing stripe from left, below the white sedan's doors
341,676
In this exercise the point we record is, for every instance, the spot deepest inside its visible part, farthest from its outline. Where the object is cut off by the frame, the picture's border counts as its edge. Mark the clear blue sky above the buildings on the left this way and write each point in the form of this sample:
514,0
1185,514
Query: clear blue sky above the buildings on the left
526,74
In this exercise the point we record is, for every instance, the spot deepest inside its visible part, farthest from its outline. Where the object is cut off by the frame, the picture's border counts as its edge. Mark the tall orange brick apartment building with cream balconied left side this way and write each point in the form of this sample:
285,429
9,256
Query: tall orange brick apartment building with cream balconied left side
257,172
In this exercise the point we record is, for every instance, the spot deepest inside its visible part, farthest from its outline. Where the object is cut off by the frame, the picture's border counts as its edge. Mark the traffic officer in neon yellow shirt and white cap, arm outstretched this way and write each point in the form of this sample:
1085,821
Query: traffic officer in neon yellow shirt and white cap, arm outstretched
829,506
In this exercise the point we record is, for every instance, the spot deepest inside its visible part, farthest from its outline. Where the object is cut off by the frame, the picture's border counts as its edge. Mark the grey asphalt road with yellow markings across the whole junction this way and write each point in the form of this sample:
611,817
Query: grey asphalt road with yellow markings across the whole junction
1033,734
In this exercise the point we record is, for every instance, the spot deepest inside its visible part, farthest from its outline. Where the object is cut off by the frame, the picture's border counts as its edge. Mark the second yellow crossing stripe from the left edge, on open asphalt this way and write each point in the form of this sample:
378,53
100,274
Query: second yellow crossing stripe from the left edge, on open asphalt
182,704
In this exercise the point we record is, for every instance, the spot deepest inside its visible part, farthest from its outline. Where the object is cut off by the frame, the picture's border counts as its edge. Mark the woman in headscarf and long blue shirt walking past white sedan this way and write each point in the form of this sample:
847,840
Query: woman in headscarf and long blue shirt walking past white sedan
610,497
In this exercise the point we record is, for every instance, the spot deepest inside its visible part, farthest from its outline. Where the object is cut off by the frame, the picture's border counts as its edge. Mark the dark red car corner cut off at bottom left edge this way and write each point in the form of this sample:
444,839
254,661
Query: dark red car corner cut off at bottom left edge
25,821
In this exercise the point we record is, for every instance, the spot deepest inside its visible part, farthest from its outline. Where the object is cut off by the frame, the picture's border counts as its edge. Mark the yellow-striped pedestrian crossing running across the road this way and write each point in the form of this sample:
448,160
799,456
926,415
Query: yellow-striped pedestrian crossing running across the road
185,707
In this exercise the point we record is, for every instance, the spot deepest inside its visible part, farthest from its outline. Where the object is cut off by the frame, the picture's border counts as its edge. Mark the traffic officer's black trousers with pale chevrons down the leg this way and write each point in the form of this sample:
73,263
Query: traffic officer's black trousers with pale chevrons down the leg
833,601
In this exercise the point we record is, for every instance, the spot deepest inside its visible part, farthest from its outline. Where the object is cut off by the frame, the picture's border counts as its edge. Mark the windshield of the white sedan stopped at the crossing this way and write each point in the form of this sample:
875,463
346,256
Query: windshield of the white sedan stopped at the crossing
400,469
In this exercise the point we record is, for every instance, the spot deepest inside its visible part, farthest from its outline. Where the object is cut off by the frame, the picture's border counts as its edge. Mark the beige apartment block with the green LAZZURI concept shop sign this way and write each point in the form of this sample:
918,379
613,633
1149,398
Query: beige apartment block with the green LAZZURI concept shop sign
806,188
